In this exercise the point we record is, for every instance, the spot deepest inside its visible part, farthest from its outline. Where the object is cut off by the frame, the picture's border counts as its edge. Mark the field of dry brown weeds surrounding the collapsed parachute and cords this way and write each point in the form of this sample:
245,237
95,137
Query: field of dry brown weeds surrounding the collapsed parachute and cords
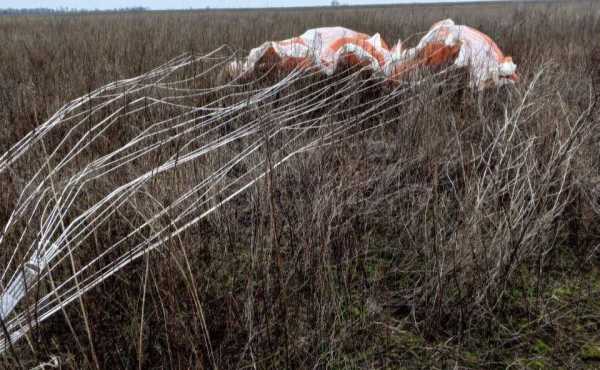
463,233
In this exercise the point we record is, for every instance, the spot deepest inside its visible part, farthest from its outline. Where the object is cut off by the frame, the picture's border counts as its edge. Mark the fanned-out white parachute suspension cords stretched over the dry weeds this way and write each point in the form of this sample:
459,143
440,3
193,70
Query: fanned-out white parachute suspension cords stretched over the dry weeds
177,127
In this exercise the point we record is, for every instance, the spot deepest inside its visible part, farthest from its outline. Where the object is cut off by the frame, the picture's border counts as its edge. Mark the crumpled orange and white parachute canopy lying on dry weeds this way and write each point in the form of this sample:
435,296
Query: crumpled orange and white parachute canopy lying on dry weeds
331,48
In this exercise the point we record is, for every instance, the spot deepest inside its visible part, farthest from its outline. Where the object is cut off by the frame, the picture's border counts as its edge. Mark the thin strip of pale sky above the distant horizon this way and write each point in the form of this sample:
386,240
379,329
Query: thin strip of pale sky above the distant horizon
185,4
